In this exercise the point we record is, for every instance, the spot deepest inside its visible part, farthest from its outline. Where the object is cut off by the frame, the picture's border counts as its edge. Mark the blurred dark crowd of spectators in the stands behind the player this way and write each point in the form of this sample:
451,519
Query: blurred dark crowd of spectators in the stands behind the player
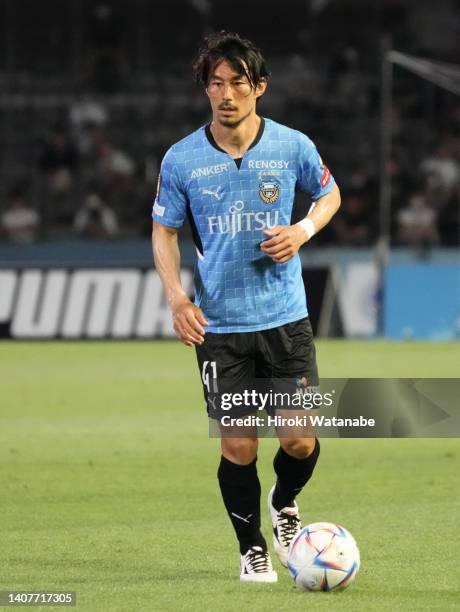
88,169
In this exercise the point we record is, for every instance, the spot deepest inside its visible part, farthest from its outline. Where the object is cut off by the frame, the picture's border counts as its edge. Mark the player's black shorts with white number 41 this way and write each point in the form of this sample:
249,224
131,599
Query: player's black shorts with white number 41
234,362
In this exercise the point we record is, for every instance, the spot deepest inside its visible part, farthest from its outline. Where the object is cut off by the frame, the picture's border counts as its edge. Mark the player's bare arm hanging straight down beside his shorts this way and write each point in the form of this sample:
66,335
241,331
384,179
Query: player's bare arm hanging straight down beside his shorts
188,319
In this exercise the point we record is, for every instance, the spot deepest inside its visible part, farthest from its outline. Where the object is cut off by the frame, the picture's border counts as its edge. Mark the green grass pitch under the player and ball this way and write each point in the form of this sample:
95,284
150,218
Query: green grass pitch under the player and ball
108,485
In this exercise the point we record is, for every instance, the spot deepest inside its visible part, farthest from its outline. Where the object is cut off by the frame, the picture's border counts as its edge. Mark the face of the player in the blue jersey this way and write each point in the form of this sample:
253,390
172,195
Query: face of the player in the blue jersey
232,96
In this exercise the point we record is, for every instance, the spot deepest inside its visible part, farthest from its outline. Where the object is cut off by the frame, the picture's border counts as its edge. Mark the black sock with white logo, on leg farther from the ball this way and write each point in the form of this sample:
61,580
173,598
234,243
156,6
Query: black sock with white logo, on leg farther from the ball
240,488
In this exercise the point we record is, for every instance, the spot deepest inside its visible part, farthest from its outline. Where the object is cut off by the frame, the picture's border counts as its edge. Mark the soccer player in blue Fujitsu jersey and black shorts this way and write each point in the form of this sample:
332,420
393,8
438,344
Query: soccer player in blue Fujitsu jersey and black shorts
235,179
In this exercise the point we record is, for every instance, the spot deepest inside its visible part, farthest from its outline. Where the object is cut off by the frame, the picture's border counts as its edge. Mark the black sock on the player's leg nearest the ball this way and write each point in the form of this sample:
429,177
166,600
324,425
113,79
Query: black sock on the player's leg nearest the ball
292,475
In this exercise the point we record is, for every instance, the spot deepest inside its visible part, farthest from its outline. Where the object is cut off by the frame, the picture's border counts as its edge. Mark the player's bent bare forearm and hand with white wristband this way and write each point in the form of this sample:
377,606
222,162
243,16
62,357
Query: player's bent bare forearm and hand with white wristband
285,240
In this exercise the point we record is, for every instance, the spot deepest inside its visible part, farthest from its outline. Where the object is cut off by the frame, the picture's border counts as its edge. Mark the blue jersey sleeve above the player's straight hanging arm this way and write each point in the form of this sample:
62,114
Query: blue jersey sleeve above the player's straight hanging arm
170,203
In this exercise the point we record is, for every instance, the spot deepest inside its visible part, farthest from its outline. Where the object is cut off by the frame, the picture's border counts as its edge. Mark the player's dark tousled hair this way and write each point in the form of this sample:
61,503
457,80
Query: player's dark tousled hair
241,54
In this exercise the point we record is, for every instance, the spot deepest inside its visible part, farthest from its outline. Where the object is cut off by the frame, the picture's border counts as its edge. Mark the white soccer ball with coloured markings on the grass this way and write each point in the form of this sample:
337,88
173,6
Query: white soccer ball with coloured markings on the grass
323,557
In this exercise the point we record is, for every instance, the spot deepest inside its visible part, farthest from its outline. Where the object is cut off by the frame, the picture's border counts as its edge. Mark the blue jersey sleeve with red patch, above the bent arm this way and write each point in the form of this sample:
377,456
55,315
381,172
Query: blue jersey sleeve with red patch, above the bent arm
314,176
